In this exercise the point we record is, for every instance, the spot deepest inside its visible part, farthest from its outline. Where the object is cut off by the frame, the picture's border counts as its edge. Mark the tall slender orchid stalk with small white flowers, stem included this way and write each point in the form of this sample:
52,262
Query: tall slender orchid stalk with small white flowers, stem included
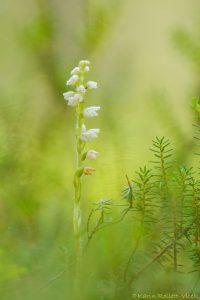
77,100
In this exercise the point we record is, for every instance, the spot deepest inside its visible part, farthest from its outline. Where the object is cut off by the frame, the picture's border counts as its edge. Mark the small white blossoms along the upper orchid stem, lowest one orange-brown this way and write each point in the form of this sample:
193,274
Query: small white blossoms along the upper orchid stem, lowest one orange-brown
76,99
